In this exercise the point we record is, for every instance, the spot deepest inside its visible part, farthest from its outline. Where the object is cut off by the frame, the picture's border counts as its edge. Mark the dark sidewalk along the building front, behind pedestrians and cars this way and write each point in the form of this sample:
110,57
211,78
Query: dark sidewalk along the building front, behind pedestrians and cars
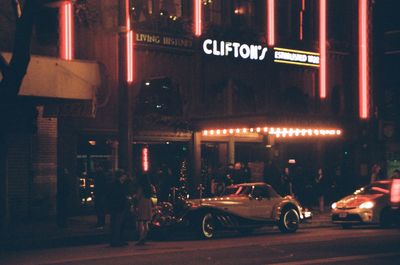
81,230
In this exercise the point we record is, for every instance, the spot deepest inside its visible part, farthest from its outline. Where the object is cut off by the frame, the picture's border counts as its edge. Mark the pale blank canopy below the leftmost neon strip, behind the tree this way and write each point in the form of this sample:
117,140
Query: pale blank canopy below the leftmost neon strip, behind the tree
50,77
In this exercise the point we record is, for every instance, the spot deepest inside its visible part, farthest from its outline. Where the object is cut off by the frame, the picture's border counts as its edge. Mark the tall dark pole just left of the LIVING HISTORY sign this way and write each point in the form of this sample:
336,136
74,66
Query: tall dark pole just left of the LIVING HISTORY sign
124,110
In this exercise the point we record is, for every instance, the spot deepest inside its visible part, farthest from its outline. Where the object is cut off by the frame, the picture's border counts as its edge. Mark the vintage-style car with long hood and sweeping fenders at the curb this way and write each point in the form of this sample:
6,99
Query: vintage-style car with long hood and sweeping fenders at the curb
242,207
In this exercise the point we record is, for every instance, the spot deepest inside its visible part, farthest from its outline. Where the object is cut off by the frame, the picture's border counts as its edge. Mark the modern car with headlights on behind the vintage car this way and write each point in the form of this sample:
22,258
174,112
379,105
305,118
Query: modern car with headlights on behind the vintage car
367,205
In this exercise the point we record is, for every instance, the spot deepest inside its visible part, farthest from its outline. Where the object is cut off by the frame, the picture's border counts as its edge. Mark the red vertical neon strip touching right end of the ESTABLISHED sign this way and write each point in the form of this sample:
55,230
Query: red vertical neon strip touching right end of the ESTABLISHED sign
322,49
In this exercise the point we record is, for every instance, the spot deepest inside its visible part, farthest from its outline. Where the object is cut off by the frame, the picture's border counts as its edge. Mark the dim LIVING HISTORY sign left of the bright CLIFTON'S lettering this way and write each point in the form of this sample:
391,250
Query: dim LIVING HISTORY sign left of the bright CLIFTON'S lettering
157,39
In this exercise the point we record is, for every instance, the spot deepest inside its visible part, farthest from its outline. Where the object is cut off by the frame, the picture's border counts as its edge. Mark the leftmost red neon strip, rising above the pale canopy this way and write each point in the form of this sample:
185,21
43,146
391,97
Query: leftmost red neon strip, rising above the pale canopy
66,31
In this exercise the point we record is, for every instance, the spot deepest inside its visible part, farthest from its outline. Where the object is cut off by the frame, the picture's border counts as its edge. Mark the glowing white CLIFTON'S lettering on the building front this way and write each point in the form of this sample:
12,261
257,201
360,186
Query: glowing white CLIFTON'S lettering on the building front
234,49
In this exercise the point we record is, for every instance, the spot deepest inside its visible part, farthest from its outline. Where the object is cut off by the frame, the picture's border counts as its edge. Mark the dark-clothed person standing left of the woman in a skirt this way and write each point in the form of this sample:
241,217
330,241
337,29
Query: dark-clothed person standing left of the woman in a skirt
118,208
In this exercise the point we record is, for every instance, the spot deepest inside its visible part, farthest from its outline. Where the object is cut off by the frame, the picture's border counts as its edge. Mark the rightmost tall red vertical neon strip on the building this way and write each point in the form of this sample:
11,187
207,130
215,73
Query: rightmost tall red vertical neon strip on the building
363,58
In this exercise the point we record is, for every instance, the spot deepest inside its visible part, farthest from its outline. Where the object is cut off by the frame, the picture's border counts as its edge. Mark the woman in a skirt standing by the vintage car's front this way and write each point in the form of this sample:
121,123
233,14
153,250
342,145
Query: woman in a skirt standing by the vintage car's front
144,208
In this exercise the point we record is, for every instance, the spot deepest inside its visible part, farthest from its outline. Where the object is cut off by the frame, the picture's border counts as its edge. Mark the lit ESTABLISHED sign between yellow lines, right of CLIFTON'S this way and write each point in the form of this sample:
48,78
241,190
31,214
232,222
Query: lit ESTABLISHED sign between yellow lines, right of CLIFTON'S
289,56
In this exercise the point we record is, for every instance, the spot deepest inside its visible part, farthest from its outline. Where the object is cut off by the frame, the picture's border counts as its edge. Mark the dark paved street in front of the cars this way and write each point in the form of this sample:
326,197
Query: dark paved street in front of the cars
308,246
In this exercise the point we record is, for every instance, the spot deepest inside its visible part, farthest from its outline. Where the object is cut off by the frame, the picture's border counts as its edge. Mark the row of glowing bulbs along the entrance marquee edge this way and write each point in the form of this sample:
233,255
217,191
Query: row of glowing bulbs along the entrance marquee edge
277,131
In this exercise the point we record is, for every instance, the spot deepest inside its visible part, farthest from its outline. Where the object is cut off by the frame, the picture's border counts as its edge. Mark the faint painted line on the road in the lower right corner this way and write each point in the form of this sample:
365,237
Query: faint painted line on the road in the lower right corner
336,259
